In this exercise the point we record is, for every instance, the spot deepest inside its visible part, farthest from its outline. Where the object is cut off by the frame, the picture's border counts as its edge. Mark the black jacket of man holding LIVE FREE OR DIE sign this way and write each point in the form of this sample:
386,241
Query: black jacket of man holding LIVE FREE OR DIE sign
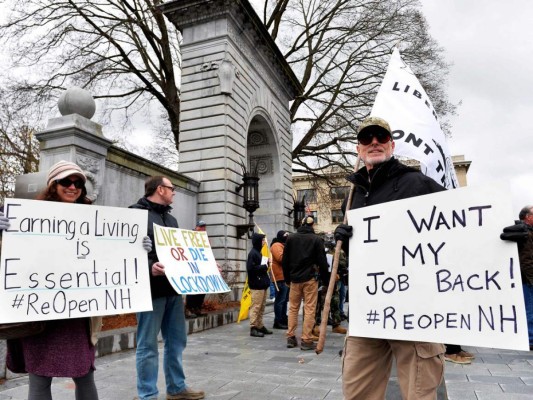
159,214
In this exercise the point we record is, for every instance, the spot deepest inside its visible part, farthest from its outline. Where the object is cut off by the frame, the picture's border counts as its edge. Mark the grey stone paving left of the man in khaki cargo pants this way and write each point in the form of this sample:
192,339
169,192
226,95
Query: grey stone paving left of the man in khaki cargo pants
225,362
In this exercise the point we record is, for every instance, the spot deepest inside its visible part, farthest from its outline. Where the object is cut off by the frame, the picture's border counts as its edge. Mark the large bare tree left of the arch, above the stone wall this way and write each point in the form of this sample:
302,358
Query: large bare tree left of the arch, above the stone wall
121,50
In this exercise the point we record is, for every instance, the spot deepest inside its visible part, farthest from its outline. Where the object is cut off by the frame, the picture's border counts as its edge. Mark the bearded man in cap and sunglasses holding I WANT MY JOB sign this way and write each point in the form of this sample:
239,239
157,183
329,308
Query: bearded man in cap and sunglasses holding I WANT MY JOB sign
367,361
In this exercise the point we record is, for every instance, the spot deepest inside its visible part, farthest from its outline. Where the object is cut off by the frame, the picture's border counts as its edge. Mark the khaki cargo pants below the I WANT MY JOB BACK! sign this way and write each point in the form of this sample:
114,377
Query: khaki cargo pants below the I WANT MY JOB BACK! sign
367,364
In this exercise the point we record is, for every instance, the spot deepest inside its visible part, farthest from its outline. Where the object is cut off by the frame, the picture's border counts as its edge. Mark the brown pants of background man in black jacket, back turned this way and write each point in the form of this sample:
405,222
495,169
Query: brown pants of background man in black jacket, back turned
308,291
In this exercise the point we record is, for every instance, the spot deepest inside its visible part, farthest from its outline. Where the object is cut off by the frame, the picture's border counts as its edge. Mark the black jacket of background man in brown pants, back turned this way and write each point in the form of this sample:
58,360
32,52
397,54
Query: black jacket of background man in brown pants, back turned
304,257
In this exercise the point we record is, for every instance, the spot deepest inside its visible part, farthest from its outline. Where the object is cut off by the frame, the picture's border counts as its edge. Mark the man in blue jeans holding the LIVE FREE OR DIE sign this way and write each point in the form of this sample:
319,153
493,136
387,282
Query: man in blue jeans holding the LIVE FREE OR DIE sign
168,315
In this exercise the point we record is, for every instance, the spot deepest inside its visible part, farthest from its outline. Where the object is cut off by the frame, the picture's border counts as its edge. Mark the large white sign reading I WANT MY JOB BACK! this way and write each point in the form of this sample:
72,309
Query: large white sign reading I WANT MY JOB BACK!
433,268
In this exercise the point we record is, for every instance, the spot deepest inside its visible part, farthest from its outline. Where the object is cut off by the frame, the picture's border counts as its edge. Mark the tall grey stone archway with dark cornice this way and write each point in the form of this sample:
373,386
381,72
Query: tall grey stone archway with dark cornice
235,94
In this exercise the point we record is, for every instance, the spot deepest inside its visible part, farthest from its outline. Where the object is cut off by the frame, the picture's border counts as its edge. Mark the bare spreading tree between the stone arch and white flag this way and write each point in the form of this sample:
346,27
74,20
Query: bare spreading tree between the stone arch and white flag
339,49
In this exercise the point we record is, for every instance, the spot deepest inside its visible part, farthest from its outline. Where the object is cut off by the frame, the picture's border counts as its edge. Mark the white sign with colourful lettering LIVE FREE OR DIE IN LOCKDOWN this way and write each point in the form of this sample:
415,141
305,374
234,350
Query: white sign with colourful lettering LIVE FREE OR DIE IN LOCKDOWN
188,259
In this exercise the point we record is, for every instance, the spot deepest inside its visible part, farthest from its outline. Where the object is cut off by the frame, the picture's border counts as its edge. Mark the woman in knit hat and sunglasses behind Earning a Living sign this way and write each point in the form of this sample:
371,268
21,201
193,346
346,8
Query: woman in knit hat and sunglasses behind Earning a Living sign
66,348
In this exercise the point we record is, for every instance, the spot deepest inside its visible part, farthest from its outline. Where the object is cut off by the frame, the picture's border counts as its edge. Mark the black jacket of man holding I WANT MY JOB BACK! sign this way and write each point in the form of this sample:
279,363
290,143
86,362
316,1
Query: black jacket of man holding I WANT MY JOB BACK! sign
388,182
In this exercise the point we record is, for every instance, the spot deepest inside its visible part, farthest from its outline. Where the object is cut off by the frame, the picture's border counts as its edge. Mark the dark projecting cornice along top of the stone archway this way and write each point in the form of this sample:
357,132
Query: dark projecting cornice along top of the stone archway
185,13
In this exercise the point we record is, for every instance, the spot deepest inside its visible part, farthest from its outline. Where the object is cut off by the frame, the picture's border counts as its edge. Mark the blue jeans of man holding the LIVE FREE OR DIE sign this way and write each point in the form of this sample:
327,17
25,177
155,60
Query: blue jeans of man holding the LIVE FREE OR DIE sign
168,317
